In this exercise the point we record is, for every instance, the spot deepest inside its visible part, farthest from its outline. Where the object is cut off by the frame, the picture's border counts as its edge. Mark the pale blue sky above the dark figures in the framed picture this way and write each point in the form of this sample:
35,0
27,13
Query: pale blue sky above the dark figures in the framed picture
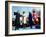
21,9
